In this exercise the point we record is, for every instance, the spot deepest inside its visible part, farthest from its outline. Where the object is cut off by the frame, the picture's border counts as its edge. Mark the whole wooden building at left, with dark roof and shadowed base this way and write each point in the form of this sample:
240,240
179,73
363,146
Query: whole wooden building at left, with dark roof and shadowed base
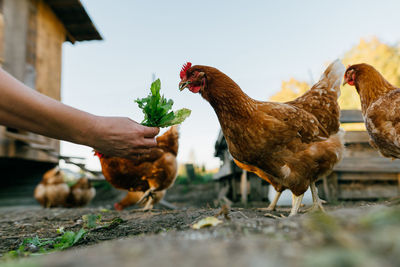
32,33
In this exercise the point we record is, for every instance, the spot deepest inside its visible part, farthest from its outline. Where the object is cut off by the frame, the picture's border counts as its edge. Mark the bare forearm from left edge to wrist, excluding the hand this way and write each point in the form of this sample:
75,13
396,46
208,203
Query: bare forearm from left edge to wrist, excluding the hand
24,108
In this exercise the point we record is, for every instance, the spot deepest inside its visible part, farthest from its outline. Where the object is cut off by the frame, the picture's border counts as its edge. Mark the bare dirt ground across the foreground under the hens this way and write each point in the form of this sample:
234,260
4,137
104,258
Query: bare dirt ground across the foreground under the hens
349,234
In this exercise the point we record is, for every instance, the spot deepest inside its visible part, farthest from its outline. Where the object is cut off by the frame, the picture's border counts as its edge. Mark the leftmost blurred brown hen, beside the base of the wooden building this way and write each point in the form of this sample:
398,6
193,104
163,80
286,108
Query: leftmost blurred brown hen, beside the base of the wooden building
52,191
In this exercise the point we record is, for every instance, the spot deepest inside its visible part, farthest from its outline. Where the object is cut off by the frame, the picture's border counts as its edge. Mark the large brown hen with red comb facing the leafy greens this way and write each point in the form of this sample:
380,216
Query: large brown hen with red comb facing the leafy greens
290,144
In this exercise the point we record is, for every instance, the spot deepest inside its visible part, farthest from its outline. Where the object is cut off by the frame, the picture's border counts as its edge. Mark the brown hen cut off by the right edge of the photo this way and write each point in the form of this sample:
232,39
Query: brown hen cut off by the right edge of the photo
380,104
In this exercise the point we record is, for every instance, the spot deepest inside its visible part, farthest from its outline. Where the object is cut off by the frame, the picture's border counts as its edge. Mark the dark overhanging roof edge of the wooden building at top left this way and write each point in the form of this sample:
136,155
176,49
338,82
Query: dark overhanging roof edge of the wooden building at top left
77,22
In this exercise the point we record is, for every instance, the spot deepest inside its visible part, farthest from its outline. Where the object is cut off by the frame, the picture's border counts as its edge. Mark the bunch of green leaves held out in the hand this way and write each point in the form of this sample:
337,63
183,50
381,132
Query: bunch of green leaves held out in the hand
157,109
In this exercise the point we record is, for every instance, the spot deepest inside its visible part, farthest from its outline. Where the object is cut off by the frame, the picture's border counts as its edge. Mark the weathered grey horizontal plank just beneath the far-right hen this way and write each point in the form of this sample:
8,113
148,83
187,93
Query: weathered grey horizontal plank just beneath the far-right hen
377,165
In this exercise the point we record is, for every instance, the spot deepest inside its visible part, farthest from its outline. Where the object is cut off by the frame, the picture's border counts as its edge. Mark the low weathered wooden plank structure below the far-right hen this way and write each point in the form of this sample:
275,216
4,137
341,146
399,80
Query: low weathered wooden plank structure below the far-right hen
363,174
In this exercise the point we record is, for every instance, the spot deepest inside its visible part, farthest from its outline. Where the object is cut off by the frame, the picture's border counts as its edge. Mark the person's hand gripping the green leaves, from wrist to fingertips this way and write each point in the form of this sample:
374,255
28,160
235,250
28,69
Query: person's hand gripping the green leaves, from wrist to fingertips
122,137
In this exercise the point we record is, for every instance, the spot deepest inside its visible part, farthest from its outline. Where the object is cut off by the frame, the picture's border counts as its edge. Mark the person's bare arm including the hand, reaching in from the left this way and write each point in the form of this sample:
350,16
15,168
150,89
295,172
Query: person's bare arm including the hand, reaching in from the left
26,109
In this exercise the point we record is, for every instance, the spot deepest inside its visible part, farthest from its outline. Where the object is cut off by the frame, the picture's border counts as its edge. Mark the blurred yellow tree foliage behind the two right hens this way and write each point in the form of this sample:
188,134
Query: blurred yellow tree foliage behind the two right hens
385,58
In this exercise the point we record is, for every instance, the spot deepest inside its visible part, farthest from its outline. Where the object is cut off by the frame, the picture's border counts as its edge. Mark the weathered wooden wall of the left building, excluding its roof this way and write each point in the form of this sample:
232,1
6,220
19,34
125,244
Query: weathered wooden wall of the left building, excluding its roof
33,39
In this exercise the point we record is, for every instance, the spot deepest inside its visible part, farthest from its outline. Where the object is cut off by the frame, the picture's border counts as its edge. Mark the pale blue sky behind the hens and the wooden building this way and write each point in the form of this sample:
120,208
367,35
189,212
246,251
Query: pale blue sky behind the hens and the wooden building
257,43
